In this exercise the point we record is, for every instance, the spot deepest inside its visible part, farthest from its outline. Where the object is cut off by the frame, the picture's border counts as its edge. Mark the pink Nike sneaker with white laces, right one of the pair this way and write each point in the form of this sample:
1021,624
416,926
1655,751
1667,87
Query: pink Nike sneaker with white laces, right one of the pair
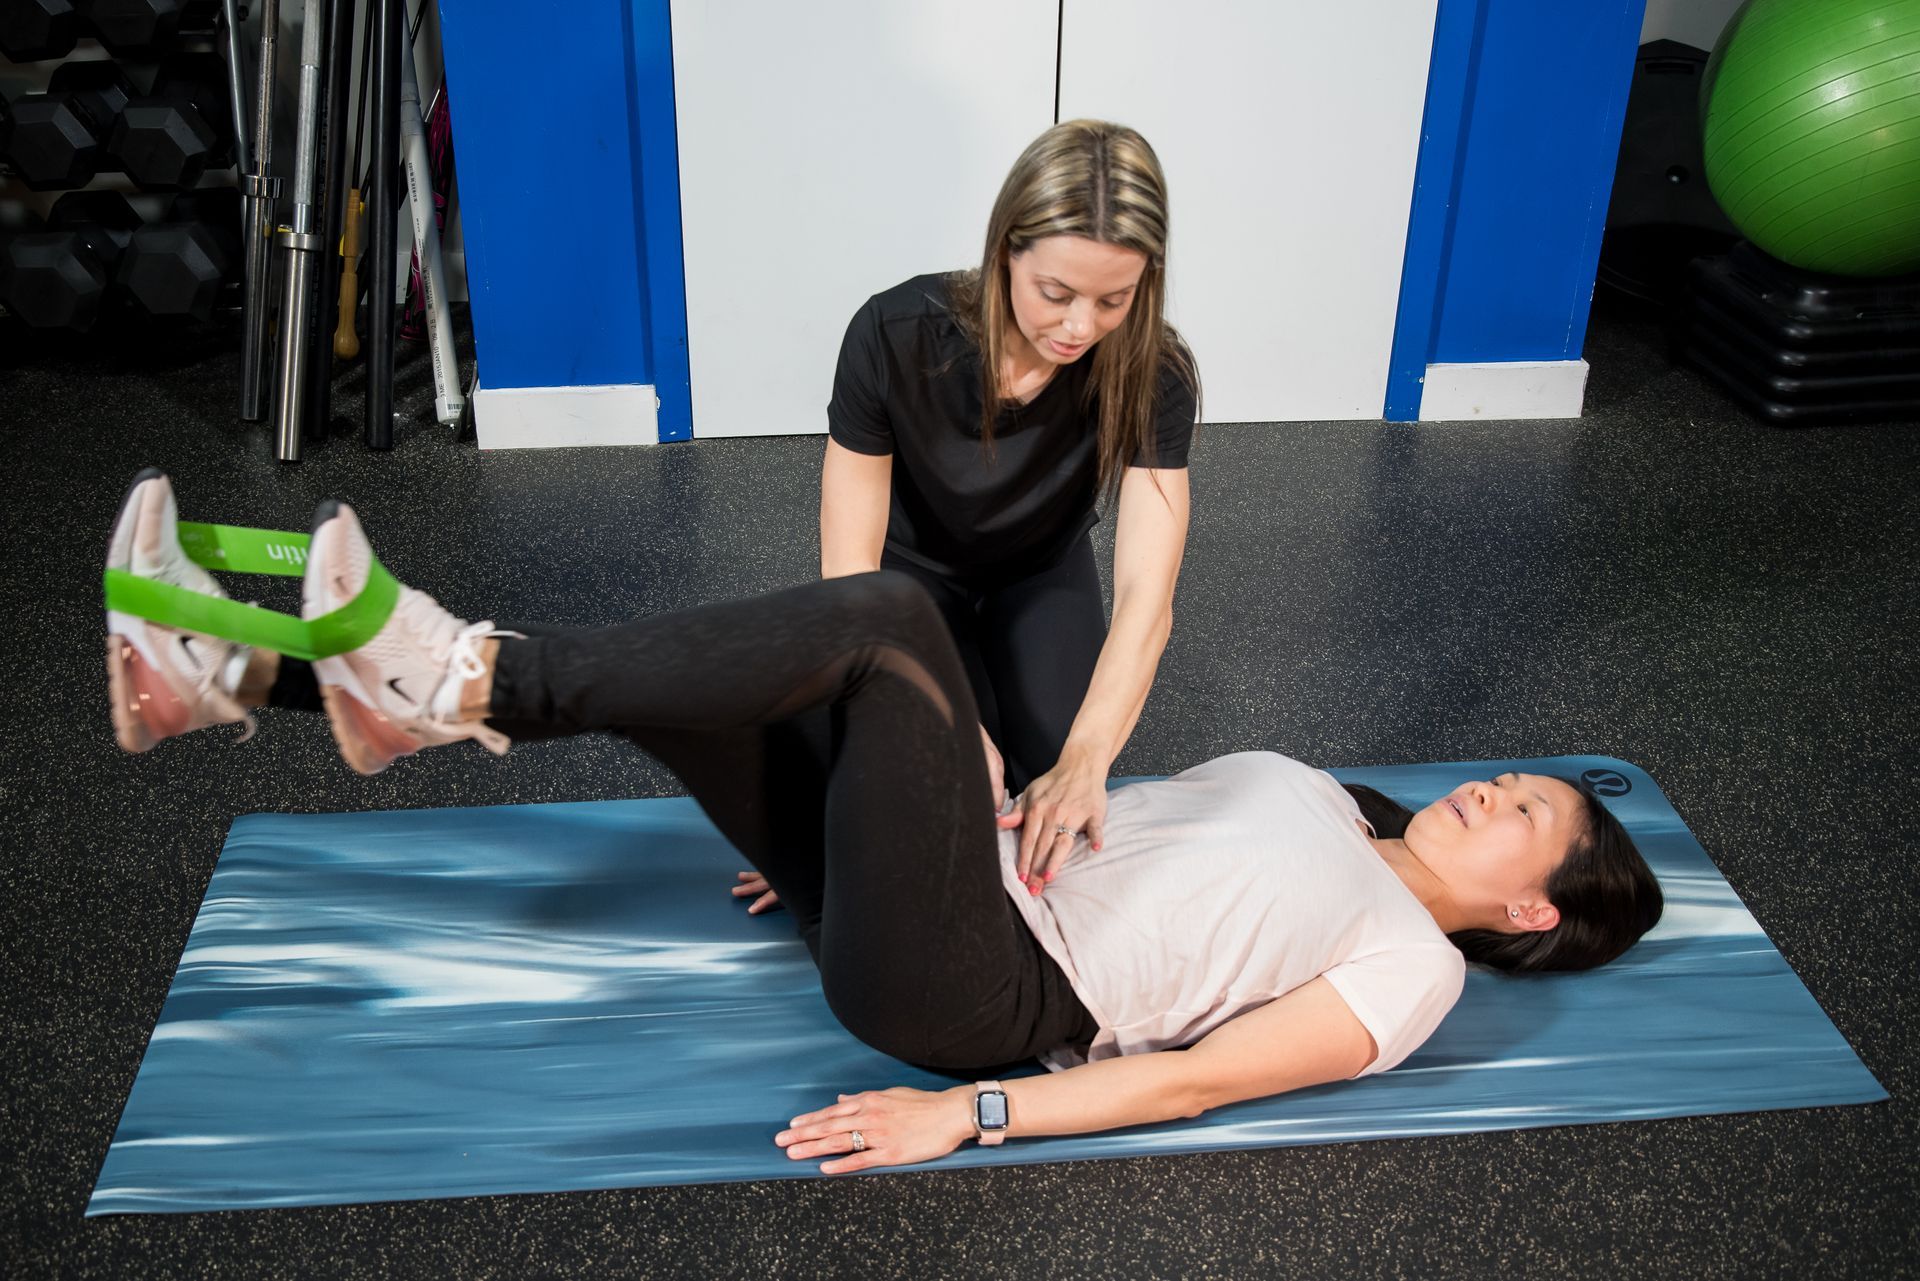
381,698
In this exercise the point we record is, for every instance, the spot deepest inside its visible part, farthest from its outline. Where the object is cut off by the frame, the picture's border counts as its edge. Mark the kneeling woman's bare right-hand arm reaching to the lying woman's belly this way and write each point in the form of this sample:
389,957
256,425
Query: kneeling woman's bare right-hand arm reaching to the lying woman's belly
1149,543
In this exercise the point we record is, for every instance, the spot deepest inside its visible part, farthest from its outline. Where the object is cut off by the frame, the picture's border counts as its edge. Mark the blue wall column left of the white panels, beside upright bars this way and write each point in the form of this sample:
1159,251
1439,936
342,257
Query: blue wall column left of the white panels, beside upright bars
571,197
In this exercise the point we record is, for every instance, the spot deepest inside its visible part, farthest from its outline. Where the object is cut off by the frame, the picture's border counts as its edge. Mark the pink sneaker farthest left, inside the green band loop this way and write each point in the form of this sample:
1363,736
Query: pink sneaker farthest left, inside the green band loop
164,681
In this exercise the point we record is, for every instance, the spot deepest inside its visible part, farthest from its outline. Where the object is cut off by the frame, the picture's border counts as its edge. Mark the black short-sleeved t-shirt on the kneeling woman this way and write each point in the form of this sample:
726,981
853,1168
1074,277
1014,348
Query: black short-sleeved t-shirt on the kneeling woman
909,385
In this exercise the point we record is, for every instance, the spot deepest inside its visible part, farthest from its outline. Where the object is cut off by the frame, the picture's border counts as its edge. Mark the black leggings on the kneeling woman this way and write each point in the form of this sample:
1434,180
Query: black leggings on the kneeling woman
1030,648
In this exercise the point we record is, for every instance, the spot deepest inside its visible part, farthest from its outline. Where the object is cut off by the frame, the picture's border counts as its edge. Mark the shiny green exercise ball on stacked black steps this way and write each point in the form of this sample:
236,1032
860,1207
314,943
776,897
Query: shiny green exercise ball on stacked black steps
1812,116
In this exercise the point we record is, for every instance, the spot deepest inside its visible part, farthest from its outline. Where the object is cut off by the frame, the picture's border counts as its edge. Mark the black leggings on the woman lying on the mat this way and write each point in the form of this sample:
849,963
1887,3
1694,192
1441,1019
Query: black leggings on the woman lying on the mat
830,735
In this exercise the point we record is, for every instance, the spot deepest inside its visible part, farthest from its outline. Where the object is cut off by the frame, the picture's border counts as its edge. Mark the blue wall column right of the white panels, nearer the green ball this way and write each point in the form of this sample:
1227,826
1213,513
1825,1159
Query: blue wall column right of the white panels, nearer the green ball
1518,153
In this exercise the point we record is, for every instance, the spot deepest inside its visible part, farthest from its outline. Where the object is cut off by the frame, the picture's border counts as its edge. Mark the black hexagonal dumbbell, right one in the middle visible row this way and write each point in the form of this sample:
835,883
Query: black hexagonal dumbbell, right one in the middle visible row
170,137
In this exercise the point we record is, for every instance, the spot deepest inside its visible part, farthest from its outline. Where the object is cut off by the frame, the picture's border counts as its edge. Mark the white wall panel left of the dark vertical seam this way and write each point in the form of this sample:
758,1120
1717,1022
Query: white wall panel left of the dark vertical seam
830,151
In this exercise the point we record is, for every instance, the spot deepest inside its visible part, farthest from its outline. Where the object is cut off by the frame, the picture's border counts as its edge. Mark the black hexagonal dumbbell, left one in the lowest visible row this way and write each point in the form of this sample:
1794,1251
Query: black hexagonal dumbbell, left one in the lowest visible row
59,278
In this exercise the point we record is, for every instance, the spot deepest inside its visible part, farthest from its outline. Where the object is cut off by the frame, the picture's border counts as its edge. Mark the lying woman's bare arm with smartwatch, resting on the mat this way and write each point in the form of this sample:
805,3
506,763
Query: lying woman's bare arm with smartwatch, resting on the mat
1307,1038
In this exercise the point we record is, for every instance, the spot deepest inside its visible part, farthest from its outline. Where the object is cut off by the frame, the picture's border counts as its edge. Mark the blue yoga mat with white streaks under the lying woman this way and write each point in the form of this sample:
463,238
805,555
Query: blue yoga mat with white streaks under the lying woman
550,998
